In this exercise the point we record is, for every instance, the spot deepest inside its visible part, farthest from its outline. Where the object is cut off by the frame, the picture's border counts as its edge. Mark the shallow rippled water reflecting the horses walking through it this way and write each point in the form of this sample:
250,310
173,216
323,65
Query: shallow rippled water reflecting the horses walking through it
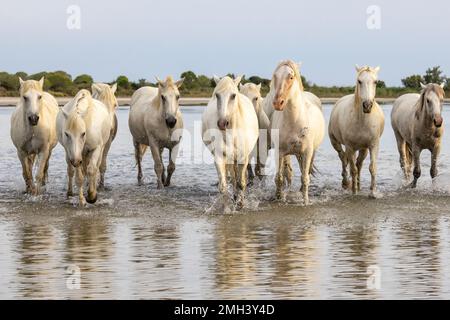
140,242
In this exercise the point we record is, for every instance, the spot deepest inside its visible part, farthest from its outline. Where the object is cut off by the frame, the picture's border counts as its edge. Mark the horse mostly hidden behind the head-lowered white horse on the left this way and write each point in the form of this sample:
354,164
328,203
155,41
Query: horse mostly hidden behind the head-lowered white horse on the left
106,94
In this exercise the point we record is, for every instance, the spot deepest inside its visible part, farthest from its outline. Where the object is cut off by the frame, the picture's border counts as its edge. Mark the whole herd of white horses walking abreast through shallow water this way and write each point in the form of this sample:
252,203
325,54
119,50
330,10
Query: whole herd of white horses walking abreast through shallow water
236,125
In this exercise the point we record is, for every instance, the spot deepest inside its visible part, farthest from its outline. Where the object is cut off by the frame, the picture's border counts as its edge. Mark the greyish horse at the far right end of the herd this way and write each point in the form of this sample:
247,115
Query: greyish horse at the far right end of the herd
418,124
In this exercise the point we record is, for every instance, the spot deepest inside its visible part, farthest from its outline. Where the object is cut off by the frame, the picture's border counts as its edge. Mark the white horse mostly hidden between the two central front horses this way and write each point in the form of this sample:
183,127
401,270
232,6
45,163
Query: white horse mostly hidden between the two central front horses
253,92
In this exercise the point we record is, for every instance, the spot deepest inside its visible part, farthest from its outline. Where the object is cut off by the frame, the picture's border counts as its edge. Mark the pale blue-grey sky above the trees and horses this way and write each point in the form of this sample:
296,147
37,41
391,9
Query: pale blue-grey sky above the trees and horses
144,39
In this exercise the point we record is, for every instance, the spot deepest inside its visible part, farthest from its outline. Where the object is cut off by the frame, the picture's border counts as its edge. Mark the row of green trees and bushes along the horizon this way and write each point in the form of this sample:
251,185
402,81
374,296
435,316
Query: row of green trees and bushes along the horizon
60,83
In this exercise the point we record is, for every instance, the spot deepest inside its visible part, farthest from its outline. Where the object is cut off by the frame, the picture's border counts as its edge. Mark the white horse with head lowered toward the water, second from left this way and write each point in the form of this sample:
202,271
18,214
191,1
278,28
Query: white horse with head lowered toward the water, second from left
84,126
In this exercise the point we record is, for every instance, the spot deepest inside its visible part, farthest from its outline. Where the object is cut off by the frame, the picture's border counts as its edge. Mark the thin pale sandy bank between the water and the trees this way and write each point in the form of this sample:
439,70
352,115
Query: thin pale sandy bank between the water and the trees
12,101
